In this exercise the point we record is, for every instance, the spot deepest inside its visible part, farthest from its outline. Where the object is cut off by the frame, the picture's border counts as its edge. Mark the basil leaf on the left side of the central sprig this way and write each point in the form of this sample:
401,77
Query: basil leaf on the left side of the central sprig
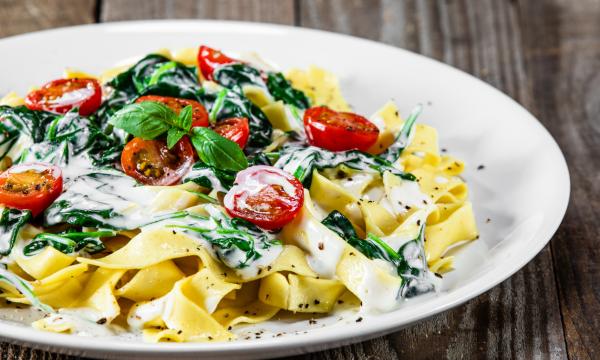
145,120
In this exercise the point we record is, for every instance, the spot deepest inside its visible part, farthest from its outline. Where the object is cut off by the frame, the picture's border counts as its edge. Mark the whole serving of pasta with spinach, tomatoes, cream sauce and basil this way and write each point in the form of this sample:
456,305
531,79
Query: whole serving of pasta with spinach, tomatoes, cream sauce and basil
193,192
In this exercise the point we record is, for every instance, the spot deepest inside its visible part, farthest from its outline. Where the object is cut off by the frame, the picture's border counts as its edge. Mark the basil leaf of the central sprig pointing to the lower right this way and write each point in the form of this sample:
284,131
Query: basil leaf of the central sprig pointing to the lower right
216,151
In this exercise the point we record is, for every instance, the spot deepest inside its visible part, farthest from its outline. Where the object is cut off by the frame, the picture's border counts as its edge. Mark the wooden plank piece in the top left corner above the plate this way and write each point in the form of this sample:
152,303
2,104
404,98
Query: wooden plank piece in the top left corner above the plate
21,16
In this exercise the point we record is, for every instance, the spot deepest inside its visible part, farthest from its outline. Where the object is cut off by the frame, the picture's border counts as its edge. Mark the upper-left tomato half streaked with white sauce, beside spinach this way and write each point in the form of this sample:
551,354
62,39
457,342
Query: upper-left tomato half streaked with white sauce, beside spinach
60,96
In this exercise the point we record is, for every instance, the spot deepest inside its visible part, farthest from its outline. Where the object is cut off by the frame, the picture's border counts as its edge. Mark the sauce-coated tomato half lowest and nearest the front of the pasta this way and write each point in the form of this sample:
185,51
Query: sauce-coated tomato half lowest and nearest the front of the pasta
265,196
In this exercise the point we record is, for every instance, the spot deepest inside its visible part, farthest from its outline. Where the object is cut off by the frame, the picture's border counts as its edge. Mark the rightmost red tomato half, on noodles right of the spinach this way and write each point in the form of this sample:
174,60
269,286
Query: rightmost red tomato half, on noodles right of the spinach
338,131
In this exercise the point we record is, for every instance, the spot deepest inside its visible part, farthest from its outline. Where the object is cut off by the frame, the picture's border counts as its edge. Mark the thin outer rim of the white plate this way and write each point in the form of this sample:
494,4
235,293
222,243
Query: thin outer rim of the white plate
276,346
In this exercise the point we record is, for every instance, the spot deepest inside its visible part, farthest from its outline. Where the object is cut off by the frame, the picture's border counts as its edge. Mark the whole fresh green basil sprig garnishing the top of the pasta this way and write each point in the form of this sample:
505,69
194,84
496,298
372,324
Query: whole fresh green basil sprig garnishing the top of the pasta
148,120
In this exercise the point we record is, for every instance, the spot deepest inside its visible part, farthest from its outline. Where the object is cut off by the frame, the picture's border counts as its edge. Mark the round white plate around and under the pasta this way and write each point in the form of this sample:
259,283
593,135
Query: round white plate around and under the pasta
523,190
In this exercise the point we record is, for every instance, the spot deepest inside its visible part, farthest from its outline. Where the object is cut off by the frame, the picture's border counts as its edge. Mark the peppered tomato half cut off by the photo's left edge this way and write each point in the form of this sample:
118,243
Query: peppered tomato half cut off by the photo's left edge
30,186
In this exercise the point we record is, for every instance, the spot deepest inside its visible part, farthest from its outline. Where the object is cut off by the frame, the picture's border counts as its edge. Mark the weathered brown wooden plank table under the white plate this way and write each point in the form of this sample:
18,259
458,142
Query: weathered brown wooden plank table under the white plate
543,53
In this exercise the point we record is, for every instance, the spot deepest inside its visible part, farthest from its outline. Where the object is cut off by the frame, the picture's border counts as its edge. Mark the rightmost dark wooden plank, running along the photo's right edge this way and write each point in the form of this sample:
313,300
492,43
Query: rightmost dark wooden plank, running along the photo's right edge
563,58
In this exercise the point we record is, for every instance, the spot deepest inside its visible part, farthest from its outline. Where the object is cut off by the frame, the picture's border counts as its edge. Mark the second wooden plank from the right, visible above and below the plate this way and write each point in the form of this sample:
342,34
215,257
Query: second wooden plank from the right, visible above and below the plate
521,317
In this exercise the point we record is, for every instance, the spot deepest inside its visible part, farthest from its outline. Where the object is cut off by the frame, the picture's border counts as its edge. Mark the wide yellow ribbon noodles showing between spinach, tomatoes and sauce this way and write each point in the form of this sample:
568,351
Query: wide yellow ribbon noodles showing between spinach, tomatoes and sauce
170,286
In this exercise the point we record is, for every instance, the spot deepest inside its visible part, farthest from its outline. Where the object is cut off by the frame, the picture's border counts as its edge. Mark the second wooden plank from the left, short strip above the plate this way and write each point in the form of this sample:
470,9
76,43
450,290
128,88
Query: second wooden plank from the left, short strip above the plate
274,11
